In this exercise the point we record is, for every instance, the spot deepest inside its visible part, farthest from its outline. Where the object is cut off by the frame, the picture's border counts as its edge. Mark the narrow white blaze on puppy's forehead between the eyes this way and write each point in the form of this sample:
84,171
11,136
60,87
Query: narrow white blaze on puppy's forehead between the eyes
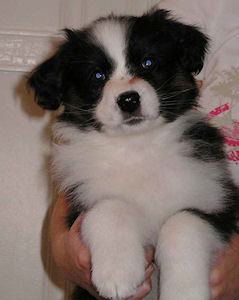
111,34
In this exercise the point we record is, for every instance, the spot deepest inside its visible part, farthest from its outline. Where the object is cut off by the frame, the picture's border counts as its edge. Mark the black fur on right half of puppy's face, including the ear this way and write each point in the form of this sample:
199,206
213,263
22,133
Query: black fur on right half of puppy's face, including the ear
176,50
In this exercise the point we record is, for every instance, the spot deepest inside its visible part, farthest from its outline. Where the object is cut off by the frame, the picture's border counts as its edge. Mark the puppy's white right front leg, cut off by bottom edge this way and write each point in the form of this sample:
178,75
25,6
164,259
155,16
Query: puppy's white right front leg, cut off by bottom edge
184,251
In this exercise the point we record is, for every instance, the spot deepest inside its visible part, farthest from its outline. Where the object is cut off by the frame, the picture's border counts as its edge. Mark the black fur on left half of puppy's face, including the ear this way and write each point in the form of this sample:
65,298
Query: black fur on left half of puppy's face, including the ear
68,78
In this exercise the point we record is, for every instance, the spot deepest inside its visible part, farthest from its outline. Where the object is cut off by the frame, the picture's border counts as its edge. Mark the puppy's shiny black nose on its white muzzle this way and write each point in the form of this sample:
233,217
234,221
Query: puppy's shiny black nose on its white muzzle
129,102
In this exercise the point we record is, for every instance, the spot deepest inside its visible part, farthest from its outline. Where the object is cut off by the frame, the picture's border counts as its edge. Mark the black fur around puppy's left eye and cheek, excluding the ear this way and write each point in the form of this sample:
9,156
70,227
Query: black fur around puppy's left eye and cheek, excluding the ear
81,89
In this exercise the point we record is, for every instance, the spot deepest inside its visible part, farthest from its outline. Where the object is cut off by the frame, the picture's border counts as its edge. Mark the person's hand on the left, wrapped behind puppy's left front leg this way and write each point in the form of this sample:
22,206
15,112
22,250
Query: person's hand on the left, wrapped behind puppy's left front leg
73,257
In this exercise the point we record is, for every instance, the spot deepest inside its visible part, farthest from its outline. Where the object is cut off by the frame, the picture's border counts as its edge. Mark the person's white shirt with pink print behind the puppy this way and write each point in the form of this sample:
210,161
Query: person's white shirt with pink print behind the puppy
219,19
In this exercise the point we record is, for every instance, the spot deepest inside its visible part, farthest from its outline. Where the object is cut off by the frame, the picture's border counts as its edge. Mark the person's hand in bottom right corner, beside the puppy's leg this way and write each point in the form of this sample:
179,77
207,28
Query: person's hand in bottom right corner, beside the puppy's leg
224,279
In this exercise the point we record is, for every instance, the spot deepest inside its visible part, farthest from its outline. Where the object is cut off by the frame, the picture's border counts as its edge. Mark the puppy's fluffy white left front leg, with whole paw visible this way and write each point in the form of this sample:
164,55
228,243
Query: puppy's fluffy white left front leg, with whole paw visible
114,232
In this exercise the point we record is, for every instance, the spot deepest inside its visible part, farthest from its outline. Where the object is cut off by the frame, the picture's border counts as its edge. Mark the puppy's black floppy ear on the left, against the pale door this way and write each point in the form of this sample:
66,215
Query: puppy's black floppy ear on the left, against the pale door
45,80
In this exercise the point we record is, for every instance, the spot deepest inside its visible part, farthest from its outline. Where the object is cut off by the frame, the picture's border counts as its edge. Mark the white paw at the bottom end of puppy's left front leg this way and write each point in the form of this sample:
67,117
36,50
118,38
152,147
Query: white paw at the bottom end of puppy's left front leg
118,279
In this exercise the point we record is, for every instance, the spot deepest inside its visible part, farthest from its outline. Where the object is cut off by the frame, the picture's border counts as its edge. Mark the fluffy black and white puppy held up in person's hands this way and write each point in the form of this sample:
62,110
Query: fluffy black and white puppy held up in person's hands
137,155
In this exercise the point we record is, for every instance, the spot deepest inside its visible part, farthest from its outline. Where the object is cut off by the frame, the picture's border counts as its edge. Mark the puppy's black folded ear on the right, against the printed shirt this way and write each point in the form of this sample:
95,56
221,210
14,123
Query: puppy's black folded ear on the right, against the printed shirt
192,47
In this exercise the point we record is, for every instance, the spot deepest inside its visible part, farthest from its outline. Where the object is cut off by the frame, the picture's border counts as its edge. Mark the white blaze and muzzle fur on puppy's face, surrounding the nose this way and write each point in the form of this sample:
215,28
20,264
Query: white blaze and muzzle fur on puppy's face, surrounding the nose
111,35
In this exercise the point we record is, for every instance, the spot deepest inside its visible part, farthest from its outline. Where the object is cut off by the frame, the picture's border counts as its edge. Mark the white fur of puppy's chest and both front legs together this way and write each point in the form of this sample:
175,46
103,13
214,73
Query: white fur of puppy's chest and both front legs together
134,185
